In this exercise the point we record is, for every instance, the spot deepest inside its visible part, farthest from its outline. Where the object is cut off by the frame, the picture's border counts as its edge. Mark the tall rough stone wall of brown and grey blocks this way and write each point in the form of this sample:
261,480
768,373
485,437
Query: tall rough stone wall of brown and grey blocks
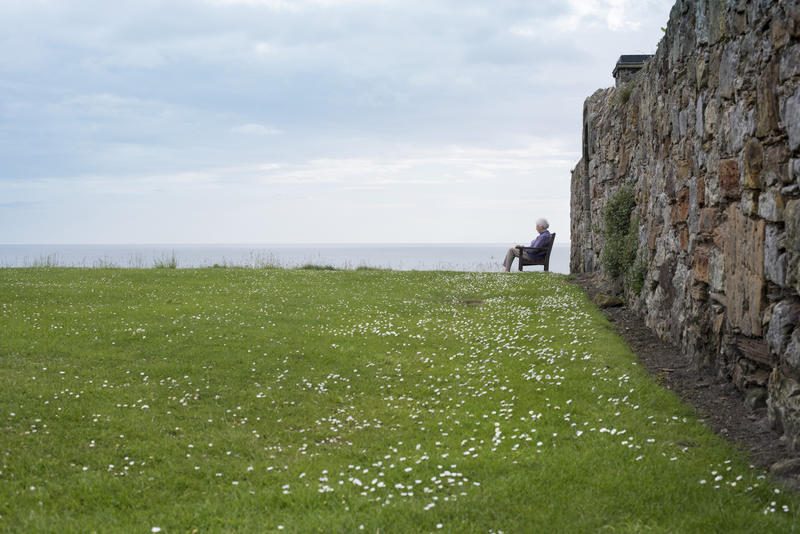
708,137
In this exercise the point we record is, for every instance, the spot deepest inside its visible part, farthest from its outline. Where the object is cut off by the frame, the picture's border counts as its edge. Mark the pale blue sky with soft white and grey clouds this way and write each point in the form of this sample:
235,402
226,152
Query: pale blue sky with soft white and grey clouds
300,121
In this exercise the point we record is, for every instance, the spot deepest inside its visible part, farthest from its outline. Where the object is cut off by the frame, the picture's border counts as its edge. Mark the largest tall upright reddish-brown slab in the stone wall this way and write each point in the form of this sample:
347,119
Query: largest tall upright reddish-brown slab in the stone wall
744,272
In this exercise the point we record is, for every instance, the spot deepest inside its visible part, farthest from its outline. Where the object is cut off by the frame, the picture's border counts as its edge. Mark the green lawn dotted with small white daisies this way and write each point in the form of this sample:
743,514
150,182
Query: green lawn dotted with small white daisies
251,400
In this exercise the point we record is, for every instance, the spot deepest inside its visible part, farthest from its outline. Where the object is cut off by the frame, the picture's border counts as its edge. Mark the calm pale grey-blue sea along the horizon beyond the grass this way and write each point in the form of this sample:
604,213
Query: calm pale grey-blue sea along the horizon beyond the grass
455,257
